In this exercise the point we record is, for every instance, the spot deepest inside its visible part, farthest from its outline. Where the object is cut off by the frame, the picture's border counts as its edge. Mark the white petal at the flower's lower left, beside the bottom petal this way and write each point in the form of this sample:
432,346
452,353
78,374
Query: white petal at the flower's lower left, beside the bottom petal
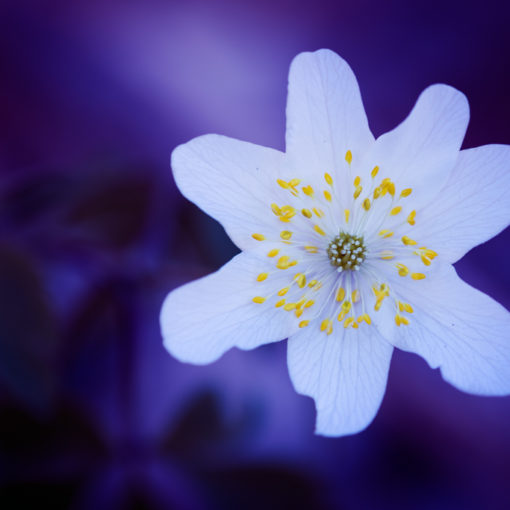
205,318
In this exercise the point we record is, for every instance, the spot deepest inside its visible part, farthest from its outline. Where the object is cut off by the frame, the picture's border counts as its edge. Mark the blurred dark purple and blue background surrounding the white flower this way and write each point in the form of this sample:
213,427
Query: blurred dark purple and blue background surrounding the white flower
94,414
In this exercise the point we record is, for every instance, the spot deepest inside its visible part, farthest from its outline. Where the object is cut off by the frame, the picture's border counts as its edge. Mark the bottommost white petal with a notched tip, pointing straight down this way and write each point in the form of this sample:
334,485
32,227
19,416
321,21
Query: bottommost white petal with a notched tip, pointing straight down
345,372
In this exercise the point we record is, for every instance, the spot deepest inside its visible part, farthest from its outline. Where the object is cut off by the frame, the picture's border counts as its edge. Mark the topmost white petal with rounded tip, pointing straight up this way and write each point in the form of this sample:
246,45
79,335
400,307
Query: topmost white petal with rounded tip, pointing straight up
325,114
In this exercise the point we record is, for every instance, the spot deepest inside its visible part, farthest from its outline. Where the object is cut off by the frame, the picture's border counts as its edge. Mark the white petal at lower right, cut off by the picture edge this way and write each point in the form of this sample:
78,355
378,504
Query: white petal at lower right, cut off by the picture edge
461,330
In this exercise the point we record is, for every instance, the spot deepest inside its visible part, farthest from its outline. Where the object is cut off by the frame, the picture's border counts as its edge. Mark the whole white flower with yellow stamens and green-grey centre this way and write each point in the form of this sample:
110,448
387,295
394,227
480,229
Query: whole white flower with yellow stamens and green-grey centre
347,244
